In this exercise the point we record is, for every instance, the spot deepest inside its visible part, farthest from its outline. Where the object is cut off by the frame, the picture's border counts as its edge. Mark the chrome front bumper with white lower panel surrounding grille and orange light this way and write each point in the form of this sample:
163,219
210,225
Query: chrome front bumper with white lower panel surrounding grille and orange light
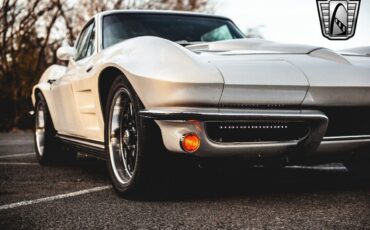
176,122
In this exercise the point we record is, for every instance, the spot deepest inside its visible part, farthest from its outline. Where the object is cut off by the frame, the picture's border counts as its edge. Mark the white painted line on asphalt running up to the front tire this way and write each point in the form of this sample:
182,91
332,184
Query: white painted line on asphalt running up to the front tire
52,198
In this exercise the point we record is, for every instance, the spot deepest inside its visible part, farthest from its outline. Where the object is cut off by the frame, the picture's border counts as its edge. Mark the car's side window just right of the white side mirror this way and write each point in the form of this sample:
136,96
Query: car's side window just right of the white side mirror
85,46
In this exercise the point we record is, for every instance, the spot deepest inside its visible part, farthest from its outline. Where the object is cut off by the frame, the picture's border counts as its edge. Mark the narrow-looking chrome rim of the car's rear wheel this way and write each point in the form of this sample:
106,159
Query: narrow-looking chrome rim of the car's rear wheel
40,128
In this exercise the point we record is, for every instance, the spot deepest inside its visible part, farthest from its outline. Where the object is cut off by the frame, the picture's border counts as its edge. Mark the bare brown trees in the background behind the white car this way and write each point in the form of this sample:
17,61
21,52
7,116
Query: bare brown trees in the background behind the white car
32,30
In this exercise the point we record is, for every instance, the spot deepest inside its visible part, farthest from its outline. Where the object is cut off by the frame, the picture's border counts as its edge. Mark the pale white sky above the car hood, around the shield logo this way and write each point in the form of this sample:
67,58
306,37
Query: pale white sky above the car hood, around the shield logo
291,21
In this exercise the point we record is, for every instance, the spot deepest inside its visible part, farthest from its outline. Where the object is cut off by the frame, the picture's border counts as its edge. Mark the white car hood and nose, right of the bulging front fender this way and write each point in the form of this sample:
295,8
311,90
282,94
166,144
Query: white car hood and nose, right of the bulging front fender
258,72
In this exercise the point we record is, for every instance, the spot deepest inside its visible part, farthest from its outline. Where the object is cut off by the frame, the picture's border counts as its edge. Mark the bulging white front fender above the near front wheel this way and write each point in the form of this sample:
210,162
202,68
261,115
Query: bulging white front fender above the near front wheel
164,73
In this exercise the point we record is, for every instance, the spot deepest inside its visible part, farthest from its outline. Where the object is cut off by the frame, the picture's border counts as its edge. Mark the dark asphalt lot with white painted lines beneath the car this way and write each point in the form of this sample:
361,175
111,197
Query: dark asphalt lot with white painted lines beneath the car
80,197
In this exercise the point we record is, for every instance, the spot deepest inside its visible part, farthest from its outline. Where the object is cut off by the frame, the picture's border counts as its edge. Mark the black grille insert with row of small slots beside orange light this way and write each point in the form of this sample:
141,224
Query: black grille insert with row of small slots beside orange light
256,131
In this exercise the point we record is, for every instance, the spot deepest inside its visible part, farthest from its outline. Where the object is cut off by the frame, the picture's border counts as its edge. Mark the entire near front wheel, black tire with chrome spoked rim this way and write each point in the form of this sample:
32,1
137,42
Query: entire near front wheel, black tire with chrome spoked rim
136,163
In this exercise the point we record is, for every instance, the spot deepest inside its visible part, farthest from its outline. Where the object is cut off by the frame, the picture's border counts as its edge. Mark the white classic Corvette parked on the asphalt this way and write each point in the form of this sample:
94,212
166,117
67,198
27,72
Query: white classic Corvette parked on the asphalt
143,83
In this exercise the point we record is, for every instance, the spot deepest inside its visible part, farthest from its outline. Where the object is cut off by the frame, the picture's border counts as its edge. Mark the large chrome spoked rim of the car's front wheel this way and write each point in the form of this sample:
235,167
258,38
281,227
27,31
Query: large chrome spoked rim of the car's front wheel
123,135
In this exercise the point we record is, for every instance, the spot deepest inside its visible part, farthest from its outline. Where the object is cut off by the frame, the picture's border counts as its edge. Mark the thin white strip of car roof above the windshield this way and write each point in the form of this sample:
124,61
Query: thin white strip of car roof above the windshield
169,12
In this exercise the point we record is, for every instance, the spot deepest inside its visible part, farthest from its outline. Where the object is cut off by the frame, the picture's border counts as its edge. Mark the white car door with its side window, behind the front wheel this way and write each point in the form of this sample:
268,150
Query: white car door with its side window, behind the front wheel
63,90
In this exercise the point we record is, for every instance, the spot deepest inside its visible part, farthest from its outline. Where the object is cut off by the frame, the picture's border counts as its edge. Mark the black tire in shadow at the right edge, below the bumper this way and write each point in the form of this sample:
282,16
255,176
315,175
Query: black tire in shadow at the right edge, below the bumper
359,166
